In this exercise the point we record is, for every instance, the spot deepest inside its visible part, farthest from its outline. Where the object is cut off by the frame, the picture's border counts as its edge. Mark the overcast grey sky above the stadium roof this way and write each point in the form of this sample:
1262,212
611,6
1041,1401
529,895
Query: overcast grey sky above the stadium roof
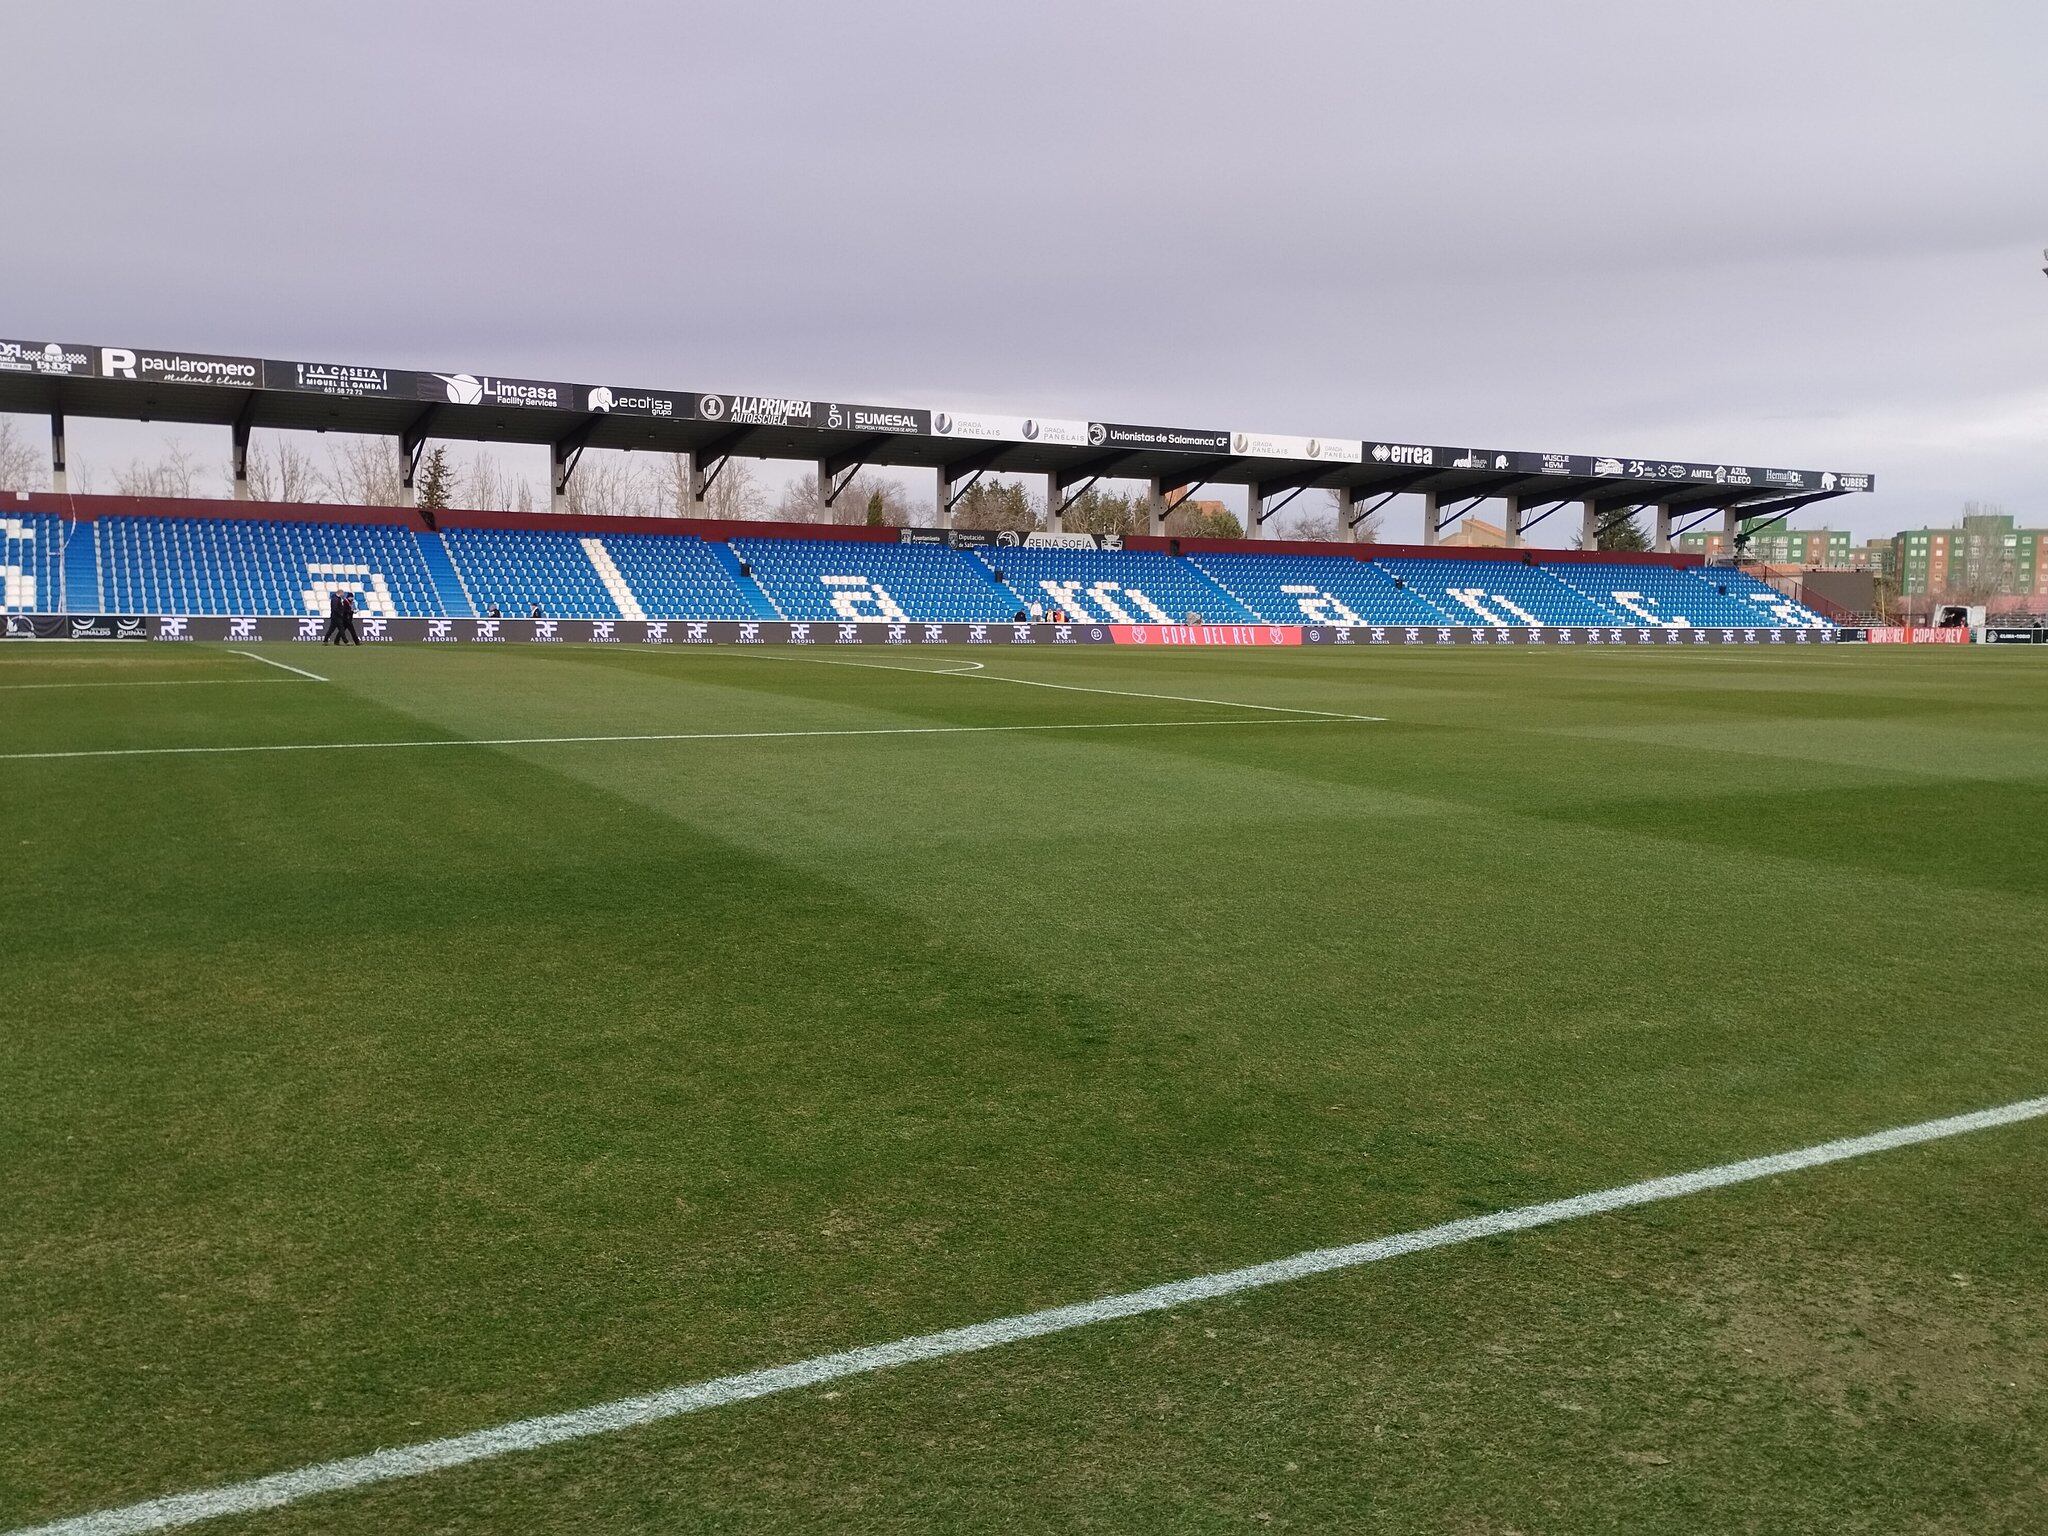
1750,230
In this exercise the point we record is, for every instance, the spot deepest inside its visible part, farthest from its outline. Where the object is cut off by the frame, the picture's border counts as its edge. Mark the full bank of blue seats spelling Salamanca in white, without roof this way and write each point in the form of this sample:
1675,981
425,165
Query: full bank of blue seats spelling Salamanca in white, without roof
112,556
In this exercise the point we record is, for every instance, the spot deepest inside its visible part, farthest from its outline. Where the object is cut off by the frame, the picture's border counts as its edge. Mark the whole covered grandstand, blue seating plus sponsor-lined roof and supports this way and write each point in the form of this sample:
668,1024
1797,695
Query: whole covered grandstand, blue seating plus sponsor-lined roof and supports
83,556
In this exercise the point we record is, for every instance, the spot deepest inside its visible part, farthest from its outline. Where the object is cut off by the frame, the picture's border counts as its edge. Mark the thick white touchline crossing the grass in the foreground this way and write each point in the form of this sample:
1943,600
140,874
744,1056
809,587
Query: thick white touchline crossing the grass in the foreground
632,1412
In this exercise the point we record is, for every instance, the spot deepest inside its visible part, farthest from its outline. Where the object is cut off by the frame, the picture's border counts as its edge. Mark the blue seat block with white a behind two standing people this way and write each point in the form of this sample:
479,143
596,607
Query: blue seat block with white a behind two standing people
275,566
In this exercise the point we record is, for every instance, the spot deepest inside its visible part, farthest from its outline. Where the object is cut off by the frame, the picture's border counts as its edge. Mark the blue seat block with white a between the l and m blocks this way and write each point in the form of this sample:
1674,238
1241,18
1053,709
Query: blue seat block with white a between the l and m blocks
841,579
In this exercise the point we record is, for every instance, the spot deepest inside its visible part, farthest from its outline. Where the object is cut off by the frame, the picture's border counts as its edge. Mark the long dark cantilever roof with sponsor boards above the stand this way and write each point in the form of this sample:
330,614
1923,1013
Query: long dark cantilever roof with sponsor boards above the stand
241,392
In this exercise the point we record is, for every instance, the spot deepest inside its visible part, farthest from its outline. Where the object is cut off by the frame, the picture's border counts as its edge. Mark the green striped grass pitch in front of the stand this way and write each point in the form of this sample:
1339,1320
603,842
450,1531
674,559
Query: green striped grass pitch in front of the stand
364,1097
